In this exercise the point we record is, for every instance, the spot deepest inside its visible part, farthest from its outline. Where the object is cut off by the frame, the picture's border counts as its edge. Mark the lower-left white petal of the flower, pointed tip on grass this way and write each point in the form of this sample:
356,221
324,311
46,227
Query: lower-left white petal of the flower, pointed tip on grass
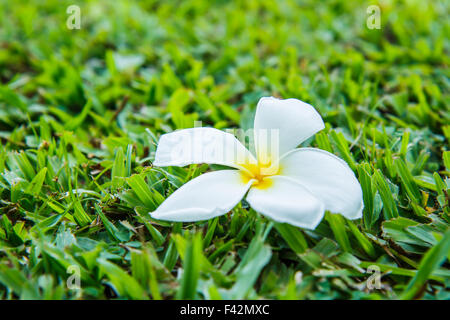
207,196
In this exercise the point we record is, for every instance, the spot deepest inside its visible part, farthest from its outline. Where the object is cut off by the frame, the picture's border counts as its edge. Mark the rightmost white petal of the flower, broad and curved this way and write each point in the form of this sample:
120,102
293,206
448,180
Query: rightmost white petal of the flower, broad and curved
328,177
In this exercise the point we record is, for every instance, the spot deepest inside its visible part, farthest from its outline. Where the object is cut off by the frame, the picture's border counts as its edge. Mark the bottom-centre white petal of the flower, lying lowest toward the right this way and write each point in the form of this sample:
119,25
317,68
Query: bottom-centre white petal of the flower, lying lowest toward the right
285,200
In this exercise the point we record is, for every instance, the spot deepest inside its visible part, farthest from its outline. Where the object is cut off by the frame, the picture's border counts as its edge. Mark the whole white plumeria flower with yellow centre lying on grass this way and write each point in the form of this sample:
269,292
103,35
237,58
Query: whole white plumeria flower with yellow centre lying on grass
286,184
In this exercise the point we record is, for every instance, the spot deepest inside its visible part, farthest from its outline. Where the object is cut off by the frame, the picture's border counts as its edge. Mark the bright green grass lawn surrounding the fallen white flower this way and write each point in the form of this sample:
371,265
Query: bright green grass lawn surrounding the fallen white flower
81,112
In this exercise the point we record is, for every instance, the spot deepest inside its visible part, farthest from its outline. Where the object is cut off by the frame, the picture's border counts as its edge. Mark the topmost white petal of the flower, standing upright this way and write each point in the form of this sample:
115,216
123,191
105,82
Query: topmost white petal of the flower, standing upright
281,125
